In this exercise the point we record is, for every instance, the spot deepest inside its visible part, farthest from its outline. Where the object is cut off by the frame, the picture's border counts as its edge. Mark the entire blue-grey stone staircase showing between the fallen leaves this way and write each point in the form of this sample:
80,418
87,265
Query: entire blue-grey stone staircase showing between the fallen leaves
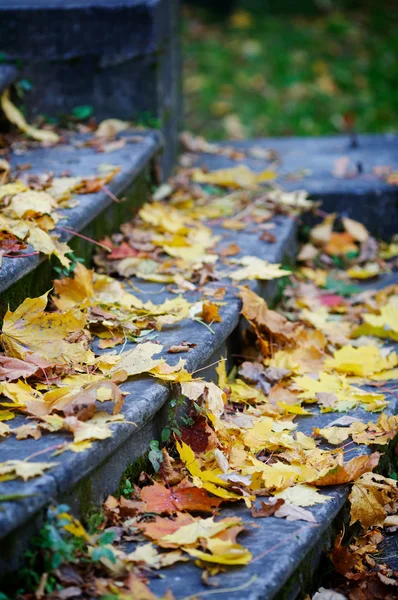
286,554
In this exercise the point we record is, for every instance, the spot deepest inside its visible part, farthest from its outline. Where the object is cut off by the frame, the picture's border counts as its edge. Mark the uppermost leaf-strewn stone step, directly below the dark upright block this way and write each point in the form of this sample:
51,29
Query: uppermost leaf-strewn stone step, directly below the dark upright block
95,216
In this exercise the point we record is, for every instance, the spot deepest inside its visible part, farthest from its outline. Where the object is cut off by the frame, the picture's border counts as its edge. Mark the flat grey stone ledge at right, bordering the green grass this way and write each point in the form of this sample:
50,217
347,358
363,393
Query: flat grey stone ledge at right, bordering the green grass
361,191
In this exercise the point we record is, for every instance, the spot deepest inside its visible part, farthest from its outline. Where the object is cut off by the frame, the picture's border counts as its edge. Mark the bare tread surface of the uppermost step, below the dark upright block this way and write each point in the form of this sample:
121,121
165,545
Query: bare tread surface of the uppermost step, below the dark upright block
82,161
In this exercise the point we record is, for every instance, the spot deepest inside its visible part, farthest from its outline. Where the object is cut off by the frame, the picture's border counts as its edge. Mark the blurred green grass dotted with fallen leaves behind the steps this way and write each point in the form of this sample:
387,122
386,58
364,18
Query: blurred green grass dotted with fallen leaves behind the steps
262,68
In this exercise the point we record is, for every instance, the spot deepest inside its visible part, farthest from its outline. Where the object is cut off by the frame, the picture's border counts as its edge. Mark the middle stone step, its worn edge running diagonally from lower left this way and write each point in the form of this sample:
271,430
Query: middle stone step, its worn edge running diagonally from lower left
85,479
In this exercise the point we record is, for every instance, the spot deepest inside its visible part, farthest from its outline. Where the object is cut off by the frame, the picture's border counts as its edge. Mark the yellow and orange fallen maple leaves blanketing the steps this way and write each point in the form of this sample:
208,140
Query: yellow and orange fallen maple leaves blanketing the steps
321,352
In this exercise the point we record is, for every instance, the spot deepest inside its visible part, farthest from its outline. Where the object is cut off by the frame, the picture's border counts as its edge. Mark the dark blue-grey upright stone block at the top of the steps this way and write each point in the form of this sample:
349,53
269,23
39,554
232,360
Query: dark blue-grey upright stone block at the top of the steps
122,57
